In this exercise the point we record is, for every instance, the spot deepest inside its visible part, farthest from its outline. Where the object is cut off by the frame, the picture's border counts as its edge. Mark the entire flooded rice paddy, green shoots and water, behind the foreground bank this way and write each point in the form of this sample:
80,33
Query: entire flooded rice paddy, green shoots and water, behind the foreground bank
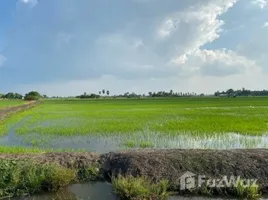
114,124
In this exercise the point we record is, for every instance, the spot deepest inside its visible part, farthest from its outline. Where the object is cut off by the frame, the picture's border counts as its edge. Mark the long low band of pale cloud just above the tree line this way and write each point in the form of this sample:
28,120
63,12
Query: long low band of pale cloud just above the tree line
197,83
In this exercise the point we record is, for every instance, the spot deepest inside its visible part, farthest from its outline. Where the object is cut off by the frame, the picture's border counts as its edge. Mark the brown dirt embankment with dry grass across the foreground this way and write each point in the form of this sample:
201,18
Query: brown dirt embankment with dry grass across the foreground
167,164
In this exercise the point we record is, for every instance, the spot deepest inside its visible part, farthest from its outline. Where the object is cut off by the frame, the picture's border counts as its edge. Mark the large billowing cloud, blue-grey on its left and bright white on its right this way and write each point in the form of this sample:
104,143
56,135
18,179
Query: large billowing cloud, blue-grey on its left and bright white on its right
180,38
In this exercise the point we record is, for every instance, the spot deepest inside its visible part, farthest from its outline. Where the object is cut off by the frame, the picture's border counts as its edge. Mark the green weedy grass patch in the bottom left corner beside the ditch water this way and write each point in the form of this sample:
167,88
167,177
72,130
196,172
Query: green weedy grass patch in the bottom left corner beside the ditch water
20,178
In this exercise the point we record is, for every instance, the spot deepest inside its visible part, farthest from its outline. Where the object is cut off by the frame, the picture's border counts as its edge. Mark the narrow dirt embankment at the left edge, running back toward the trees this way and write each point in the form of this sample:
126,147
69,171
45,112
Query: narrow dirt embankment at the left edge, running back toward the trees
4,113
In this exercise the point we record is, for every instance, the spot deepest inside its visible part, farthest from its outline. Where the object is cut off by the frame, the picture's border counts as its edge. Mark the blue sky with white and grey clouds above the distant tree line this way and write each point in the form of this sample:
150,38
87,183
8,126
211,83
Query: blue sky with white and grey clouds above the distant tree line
68,47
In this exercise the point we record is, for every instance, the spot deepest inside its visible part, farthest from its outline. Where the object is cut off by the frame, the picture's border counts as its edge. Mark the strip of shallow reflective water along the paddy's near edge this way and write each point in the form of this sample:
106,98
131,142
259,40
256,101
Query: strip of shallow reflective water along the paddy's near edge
103,143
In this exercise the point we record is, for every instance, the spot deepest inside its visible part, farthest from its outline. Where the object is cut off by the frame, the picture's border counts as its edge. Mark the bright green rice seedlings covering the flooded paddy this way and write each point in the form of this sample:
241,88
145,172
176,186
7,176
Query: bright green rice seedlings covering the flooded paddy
169,117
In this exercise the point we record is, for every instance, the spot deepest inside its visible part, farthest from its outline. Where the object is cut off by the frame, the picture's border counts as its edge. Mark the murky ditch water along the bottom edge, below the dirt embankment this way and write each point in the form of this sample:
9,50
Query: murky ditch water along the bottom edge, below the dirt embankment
97,191
